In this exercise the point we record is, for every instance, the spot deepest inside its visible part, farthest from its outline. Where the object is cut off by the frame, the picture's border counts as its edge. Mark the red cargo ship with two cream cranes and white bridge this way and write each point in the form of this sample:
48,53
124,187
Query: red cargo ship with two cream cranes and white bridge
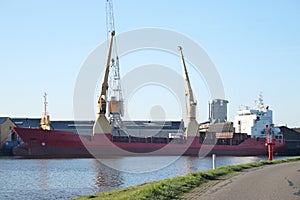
246,136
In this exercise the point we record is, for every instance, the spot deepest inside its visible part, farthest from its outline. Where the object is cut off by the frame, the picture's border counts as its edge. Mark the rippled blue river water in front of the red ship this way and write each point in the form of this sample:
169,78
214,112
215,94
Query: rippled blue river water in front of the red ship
70,178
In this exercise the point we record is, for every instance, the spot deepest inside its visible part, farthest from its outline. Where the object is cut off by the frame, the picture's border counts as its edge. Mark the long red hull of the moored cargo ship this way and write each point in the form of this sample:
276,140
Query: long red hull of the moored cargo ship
41,143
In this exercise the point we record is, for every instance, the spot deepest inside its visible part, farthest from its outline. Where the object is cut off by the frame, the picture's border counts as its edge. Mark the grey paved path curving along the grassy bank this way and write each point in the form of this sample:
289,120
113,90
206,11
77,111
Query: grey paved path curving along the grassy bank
272,182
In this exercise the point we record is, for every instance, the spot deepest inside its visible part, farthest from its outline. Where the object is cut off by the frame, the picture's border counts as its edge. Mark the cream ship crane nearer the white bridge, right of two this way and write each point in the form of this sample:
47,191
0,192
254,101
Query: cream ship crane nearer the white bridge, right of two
192,124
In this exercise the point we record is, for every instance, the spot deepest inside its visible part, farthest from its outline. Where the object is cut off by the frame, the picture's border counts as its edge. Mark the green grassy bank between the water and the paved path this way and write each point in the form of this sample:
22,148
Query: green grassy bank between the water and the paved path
172,188
